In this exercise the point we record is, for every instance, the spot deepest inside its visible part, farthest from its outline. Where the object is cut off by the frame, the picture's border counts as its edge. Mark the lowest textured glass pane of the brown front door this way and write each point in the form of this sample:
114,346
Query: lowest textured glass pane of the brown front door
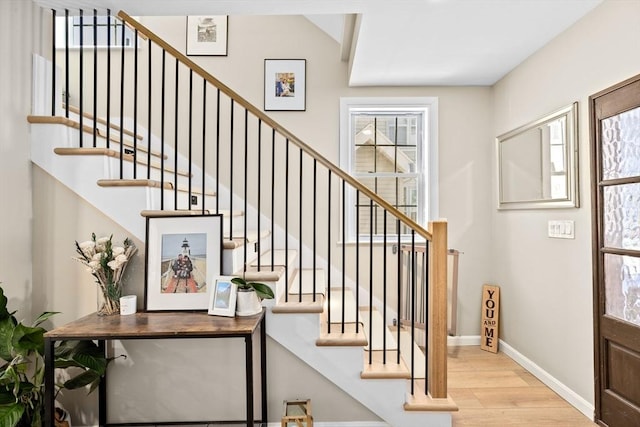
622,287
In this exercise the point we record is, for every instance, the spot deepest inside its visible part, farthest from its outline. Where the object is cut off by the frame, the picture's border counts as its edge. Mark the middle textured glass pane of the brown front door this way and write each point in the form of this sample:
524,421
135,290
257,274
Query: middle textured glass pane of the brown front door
622,216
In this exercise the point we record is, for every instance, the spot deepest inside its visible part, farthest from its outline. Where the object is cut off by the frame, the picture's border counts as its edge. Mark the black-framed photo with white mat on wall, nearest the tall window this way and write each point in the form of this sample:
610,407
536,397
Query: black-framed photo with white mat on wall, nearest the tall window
285,84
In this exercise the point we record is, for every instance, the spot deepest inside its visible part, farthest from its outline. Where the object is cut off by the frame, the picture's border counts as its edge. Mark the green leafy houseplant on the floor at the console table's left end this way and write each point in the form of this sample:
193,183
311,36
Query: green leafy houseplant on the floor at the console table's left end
22,367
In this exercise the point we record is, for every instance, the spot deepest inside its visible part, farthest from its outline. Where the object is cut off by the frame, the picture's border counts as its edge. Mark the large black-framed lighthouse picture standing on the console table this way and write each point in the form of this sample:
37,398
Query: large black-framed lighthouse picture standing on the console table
183,258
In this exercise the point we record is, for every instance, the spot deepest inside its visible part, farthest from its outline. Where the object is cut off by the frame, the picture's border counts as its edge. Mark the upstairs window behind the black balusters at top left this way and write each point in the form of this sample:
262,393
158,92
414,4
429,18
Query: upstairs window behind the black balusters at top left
108,31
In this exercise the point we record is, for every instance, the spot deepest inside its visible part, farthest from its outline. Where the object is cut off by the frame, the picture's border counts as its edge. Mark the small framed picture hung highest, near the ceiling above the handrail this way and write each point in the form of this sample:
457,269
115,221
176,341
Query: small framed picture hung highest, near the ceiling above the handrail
207,35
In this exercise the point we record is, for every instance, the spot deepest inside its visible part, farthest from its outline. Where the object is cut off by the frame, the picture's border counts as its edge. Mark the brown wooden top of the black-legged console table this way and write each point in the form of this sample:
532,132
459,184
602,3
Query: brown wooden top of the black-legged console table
176,324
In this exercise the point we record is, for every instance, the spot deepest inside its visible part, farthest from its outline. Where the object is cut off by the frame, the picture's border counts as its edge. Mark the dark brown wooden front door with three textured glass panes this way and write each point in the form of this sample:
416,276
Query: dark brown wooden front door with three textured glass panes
615,163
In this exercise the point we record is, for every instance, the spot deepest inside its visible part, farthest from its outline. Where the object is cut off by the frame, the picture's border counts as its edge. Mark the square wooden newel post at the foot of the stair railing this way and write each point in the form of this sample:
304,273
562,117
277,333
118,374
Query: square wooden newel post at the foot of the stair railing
437,326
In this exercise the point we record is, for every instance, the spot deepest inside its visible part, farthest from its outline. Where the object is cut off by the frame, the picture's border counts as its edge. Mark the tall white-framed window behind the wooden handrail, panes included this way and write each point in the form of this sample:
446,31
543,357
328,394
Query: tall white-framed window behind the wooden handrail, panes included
389,144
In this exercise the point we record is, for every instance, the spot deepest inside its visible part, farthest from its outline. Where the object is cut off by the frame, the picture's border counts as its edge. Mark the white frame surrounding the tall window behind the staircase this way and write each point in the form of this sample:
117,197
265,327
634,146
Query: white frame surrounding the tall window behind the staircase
428,181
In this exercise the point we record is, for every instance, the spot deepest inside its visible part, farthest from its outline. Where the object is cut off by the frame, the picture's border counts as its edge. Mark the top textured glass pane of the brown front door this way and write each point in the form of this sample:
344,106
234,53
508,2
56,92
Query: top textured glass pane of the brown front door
621,145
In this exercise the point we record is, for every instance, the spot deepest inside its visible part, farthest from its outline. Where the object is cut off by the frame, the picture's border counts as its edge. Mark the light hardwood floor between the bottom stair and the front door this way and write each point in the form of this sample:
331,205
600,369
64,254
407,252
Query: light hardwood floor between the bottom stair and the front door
493,390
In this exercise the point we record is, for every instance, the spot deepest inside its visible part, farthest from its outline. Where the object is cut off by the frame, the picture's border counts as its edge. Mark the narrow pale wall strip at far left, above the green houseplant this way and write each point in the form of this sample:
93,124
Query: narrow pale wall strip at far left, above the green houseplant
17,40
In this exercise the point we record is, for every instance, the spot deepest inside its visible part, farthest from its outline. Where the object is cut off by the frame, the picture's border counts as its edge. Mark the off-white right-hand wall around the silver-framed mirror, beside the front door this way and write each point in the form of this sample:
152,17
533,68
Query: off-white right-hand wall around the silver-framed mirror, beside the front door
546,284
